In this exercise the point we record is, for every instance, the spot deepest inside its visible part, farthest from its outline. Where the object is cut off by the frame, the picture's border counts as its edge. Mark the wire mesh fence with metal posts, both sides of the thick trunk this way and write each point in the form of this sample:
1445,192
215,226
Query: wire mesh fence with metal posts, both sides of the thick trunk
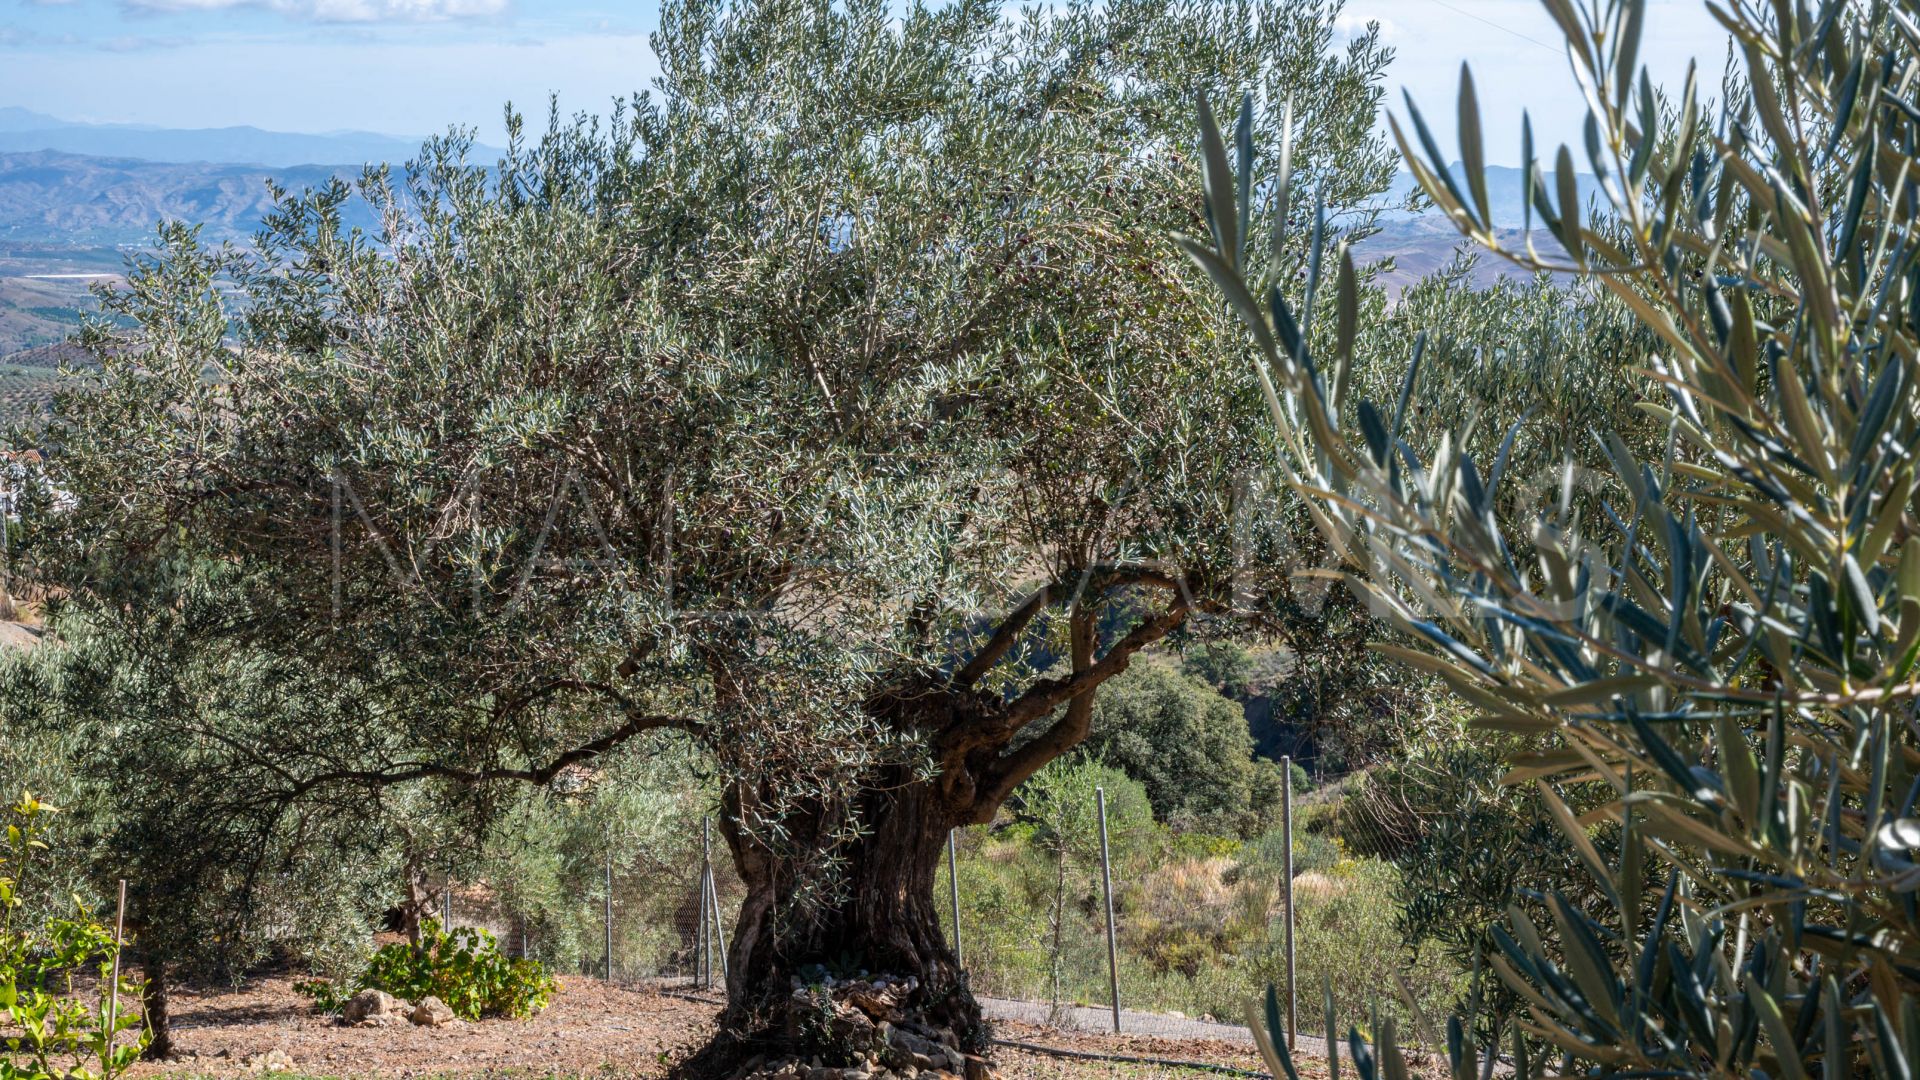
1097,921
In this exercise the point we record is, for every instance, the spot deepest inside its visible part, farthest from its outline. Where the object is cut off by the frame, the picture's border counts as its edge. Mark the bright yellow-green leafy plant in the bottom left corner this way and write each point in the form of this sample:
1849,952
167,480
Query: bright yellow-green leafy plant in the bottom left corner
49,1027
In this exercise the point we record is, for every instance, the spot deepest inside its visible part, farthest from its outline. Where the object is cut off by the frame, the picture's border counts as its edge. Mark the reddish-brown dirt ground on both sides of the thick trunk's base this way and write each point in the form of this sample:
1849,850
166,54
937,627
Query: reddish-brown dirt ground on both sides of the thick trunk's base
590,1031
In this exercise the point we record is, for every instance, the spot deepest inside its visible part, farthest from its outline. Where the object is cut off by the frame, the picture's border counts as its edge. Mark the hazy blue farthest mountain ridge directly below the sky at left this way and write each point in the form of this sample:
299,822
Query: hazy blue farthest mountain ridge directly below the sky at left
30,132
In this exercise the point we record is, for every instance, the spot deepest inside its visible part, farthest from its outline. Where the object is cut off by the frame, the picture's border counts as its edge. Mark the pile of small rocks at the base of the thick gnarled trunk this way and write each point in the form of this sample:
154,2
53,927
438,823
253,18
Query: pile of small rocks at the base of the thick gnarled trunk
869,1023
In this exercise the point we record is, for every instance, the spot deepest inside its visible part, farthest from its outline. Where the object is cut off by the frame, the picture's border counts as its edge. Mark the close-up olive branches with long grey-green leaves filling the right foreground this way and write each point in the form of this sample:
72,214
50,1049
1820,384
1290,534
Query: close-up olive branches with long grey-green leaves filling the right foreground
1725,649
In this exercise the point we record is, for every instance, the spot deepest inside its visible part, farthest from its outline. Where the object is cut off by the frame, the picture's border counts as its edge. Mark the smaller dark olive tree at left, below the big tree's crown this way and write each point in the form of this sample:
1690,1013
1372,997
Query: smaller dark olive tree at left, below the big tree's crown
178,770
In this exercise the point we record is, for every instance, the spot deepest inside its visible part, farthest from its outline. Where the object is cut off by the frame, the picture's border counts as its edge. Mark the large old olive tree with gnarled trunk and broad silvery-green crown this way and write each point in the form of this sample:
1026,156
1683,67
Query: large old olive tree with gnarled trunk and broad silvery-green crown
792,406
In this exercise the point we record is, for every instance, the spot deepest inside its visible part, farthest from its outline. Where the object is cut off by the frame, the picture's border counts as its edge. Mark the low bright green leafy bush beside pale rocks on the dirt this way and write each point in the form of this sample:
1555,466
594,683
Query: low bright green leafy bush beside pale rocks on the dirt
462,968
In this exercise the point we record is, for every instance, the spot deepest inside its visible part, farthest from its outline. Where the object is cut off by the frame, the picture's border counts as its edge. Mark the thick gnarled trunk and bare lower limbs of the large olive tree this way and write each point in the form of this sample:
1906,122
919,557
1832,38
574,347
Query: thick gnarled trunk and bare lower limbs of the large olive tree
853,883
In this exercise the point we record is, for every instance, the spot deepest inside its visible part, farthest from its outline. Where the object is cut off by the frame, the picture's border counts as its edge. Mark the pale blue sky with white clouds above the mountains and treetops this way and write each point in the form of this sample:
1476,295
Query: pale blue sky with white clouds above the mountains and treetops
420,66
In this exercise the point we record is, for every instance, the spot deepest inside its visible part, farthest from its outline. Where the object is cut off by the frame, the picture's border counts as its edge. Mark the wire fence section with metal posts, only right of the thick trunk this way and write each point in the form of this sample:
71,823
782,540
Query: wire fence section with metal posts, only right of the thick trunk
1201,925
